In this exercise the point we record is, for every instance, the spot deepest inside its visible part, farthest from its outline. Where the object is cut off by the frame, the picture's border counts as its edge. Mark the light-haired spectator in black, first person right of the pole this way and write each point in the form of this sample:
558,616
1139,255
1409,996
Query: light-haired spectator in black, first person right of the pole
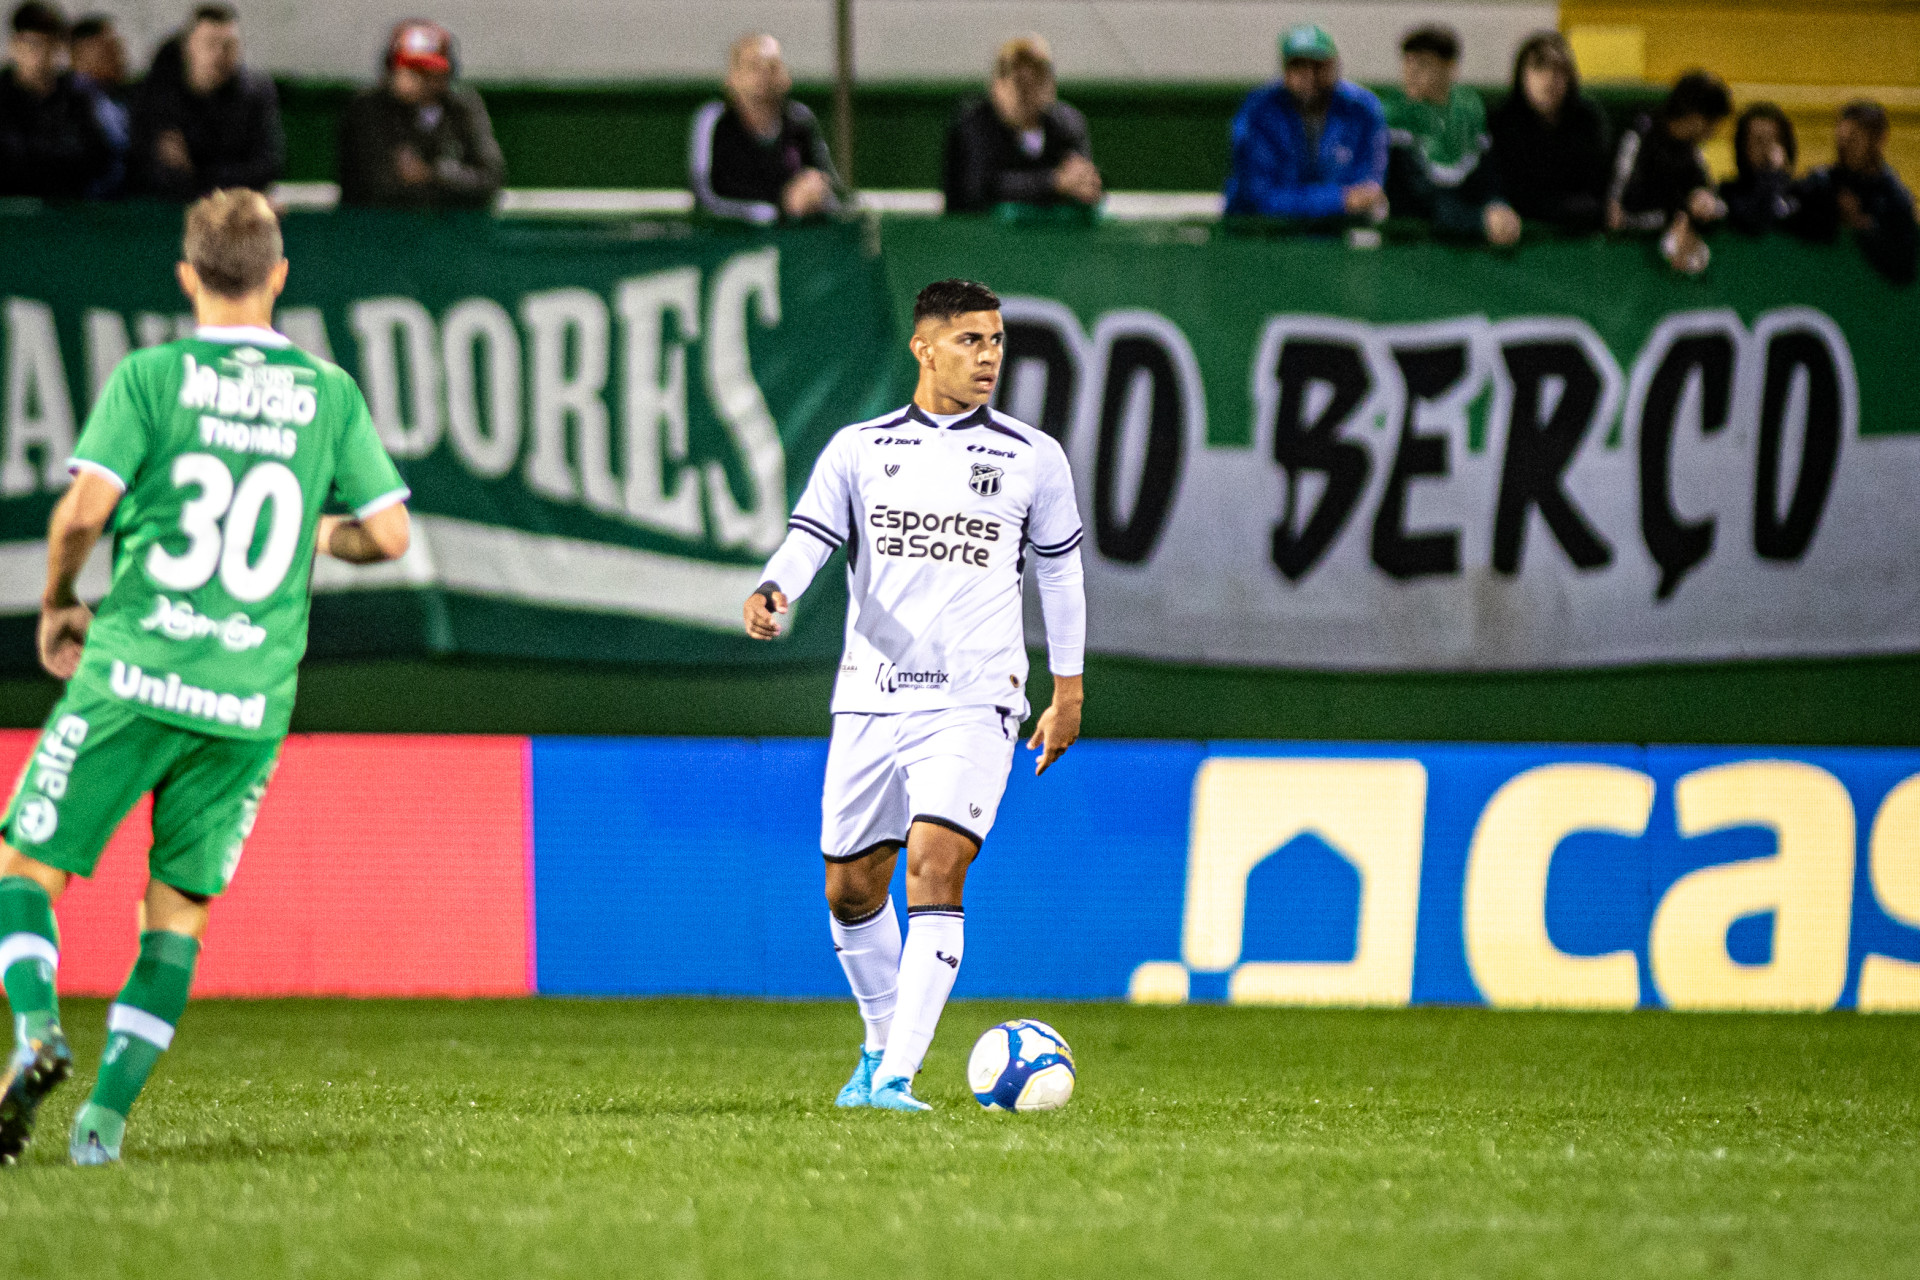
1019,145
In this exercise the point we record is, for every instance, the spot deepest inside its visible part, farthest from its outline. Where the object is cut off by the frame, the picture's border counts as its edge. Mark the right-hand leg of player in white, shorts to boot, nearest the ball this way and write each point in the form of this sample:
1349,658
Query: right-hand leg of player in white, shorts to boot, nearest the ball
955,774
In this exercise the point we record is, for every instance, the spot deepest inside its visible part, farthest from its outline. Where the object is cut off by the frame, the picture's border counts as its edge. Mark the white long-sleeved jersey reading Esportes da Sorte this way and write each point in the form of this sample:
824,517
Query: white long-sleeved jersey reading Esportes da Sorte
940,527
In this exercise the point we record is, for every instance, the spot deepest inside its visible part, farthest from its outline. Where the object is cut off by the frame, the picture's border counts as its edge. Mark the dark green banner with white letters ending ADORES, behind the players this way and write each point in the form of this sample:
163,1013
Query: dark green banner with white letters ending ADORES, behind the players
604,425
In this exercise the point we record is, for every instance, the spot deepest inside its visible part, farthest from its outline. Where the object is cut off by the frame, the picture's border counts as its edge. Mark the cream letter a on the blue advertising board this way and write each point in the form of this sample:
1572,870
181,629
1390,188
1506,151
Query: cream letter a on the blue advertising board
1808,886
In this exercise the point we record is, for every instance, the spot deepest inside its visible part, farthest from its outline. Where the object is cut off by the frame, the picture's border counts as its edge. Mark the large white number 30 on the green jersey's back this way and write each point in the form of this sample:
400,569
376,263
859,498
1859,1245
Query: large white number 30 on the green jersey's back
220,529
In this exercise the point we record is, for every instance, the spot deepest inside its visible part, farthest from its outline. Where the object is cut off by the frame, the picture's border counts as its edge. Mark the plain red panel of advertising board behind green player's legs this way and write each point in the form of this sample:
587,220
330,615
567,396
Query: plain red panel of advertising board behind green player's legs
381,866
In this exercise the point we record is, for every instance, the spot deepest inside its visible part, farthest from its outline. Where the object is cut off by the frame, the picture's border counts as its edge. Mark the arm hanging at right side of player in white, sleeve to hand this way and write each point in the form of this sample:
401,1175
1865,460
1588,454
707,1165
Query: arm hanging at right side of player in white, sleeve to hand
1059,575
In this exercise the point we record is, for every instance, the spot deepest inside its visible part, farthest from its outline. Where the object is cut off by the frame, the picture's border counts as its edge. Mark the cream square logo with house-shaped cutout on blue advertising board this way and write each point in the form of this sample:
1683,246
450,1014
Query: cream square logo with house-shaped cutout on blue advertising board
1372,813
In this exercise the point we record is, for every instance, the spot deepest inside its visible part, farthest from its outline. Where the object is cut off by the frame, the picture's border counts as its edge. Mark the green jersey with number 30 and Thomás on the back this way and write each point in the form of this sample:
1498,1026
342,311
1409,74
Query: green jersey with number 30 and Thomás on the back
226,448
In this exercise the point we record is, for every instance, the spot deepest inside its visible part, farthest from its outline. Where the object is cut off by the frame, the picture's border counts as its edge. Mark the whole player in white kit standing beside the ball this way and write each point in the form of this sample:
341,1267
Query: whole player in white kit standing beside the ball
942,506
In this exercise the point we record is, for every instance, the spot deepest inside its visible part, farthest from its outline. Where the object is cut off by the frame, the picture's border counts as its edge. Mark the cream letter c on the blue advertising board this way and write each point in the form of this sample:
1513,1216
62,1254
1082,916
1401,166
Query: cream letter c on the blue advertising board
1514,960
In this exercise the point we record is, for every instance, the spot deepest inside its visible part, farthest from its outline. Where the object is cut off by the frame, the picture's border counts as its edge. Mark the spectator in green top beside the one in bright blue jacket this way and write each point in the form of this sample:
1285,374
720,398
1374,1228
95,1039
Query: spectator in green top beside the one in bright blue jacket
1437,162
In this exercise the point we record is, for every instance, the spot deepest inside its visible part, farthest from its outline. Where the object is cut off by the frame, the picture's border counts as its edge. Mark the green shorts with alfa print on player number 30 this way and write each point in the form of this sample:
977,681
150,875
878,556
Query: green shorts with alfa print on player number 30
99,757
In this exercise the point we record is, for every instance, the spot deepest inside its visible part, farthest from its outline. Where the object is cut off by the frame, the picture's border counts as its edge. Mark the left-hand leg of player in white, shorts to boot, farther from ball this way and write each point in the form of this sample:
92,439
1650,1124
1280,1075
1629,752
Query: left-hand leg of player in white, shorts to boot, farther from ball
863,820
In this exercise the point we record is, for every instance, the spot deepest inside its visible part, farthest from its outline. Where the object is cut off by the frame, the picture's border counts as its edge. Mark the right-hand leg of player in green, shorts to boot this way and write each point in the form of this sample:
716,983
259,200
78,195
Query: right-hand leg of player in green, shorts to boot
204,809
